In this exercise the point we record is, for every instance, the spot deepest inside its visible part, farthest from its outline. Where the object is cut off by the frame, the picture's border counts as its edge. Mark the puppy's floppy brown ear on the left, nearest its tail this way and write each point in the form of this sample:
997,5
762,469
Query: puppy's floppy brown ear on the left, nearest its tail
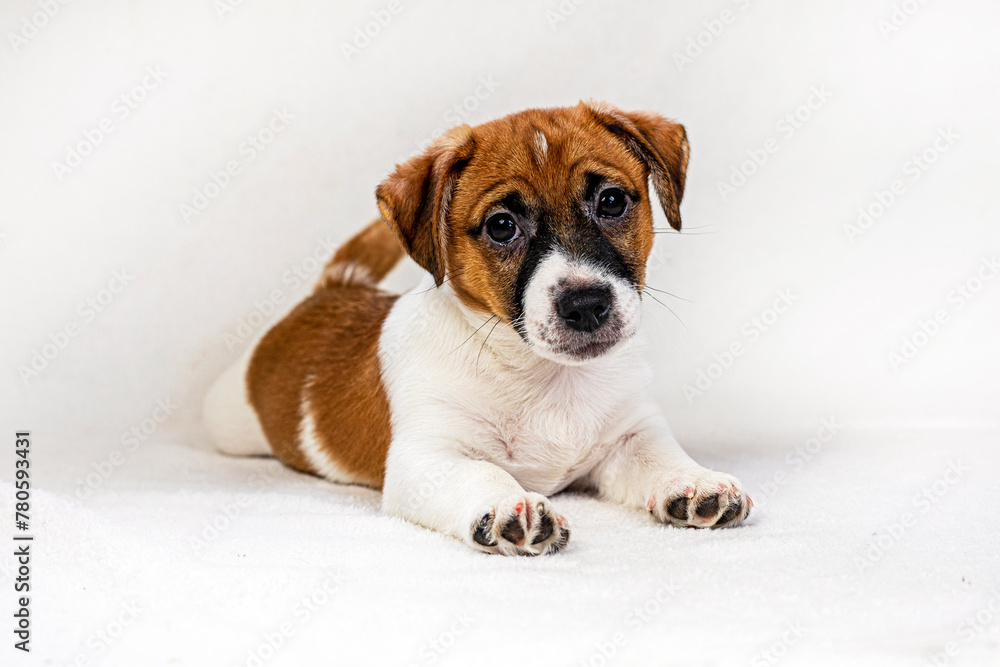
414,199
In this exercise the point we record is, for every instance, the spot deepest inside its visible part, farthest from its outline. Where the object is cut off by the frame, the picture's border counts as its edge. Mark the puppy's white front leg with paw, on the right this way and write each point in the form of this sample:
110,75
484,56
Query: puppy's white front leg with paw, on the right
648,469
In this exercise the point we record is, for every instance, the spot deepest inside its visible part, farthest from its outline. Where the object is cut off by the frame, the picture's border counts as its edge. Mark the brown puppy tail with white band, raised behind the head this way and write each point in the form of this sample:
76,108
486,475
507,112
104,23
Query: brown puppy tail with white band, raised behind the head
364,260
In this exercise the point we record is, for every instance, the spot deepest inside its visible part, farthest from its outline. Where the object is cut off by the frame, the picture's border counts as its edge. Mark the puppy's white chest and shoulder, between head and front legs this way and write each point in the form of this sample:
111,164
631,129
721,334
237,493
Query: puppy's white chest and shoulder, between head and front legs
545,423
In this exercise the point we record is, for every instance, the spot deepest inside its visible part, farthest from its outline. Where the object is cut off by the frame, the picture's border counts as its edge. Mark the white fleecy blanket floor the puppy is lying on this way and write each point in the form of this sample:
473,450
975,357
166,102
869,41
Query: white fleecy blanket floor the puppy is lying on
219,558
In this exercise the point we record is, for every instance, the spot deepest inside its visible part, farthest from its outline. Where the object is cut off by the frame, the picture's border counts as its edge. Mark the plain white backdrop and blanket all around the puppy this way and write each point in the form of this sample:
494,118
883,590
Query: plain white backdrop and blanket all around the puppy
160,300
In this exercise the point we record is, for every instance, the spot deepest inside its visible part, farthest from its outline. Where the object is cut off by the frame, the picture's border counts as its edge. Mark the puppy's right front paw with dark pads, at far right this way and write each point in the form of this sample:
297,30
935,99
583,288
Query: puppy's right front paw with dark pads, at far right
700,498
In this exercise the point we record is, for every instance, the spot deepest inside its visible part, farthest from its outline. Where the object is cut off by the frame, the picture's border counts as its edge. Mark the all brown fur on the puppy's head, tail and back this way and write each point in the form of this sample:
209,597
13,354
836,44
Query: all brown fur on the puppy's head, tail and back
542,161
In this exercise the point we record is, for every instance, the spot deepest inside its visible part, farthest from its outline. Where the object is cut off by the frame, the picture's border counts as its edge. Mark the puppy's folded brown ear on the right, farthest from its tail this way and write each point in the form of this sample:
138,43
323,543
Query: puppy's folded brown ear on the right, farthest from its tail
660,143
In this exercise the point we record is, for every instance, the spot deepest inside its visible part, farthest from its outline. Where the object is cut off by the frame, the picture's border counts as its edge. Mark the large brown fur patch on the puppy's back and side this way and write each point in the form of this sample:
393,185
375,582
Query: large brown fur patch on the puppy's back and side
326,350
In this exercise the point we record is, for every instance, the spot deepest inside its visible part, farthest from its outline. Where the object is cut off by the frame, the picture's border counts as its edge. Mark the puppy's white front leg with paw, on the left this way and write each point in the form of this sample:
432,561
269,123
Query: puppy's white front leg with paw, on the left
475,501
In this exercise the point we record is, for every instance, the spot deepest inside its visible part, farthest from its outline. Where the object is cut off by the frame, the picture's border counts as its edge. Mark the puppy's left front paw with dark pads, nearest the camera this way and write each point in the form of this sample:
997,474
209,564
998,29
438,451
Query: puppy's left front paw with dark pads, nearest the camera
521,525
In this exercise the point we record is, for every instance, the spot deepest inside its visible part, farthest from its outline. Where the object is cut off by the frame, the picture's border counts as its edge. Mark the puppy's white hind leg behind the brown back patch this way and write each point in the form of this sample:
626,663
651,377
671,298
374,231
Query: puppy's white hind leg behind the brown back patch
230,418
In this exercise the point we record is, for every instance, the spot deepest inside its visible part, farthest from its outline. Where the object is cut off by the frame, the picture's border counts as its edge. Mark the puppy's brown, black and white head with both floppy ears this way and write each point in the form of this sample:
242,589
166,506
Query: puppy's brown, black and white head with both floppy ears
543,219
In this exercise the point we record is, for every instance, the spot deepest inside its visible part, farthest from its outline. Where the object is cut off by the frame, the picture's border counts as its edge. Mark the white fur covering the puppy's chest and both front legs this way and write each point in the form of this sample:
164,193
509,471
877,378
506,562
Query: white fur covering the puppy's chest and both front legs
480,417
